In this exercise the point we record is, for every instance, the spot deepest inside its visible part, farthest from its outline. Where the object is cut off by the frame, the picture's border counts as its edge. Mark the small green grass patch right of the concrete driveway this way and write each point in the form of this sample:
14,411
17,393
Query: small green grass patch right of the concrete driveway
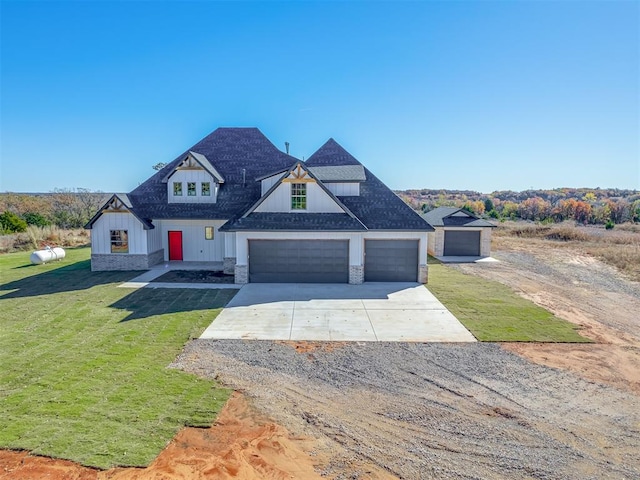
492,312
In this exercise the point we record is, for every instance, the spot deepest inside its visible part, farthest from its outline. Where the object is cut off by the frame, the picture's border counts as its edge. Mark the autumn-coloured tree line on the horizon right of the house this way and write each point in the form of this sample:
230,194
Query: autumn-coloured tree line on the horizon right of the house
583,205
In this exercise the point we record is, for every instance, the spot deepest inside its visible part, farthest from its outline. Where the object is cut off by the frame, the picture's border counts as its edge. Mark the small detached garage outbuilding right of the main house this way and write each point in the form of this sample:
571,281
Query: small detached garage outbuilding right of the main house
458,233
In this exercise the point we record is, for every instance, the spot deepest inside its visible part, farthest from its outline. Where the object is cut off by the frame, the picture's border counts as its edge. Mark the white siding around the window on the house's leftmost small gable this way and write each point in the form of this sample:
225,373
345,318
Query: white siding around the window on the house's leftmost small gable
101,233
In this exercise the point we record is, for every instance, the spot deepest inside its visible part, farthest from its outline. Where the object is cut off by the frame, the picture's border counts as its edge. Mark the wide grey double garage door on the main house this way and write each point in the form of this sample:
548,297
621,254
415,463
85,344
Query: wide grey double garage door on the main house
299,261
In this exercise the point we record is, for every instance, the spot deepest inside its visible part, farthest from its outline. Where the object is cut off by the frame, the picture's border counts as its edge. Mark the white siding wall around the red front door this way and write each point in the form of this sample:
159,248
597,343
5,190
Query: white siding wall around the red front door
195,247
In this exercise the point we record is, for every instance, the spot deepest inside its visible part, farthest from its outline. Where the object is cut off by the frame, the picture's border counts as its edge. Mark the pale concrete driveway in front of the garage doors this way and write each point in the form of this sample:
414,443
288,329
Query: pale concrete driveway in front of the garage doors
390,312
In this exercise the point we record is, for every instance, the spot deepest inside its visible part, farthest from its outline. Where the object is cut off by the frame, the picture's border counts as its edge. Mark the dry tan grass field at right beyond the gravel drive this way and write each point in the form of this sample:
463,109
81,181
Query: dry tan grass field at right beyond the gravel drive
619,247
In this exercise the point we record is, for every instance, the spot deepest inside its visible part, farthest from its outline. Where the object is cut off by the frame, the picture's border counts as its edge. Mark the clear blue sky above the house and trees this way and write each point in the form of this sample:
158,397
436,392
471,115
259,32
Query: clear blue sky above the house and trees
479,95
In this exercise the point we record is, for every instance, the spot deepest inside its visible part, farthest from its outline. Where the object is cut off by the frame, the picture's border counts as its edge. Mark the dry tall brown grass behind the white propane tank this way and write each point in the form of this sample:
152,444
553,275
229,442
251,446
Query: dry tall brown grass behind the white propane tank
36,238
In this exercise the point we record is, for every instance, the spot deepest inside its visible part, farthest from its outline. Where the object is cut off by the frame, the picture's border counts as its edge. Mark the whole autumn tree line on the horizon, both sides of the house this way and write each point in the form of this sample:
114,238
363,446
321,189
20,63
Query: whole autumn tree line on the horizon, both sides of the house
73,208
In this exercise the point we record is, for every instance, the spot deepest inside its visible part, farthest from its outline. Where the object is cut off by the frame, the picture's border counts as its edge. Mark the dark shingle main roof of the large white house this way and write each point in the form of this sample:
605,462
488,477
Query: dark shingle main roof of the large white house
232,150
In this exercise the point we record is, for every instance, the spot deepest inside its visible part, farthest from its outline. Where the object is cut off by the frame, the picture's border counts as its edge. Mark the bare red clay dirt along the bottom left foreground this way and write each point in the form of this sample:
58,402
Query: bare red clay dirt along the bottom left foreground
240,445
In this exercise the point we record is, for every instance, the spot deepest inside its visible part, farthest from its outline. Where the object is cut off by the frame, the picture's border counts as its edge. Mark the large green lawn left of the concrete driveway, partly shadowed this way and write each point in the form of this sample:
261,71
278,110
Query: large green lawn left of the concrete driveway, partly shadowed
84,372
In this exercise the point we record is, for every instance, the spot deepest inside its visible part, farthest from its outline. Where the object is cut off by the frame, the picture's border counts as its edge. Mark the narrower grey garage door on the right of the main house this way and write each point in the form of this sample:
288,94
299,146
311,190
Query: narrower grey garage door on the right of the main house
391,260
